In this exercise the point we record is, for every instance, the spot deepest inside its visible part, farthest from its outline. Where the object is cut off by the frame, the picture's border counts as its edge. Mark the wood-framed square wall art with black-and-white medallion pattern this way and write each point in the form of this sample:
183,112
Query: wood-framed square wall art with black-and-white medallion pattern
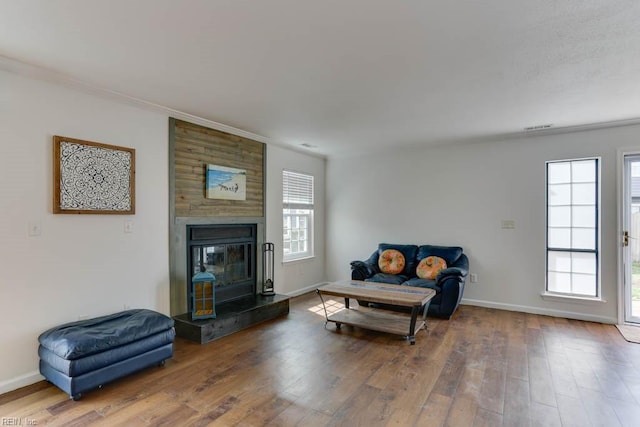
92,178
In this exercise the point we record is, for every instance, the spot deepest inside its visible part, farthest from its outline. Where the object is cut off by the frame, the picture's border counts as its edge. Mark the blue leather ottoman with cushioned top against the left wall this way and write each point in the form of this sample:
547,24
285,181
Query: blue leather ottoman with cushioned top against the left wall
83,355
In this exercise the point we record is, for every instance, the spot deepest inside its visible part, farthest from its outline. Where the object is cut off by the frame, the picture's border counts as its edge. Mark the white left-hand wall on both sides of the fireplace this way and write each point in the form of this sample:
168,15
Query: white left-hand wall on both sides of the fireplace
86,265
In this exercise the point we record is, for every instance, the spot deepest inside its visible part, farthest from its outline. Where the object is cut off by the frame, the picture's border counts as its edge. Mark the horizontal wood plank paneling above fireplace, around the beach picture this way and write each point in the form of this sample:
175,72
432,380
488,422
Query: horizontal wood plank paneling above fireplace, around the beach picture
195,147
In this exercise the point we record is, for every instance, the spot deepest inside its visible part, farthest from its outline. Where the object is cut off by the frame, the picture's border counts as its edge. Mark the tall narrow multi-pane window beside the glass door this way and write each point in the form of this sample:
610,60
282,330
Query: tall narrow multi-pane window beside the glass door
573,220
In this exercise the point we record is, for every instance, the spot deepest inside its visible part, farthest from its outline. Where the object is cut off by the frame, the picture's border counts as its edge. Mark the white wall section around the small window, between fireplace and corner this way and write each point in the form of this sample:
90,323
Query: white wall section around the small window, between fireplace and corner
293,278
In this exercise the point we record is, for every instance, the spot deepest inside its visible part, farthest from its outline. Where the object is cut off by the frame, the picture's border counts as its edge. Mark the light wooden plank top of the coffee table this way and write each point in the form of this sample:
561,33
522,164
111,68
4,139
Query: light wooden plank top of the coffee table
405,296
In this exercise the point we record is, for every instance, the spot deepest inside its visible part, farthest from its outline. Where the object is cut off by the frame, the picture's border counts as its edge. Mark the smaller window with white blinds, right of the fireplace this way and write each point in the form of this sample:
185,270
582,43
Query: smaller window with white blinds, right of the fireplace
297,215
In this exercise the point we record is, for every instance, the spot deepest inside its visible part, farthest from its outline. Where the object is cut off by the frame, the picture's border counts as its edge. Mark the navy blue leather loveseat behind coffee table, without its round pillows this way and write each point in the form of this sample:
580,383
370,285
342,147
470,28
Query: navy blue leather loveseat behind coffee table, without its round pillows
449,283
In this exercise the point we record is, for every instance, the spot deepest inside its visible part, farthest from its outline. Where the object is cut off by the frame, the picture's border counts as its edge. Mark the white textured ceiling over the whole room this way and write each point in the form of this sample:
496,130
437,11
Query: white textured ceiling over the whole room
347,75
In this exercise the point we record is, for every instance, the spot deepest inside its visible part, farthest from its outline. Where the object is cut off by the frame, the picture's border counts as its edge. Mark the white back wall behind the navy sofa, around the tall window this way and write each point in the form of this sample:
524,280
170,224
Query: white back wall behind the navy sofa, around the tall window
458,195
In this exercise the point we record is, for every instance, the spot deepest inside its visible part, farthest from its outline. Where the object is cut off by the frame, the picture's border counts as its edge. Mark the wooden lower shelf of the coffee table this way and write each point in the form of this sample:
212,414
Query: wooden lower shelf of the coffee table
378,320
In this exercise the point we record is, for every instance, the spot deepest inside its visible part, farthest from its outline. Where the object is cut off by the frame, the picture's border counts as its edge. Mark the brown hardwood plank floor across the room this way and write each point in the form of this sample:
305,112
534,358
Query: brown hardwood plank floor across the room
483,367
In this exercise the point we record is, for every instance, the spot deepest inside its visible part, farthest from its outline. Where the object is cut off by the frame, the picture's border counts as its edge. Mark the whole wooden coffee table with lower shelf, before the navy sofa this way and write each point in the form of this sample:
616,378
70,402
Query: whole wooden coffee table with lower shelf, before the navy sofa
377,319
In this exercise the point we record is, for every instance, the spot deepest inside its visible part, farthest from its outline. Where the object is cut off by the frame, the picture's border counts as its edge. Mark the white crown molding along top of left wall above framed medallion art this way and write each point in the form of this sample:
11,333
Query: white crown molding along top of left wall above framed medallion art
40,73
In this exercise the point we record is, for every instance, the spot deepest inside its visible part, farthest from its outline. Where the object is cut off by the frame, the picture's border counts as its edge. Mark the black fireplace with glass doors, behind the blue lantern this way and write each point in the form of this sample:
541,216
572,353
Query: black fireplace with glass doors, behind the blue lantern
228,251
